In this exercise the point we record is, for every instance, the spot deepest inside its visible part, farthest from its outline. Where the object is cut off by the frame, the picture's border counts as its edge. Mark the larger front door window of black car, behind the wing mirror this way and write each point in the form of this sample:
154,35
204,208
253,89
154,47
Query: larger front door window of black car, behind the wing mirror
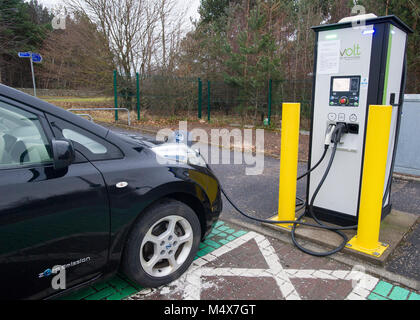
22,139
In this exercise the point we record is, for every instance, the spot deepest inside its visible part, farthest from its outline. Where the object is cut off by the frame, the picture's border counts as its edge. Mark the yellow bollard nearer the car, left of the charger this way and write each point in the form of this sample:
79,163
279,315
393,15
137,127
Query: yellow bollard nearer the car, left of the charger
289,162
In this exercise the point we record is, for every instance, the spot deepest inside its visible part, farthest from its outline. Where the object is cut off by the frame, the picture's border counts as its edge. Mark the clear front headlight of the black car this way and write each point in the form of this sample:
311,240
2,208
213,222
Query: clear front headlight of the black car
175,152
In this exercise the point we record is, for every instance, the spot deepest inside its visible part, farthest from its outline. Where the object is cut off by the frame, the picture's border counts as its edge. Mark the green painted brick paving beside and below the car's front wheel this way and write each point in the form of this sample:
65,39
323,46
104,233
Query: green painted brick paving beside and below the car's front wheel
119,287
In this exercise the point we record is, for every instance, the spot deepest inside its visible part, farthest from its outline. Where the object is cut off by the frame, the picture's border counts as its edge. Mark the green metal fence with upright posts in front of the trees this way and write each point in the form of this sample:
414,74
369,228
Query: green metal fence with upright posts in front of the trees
175,96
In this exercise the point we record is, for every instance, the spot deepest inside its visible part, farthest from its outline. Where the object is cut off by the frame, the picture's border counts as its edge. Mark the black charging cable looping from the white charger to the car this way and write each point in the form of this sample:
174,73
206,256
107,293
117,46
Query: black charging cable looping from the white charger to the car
337,133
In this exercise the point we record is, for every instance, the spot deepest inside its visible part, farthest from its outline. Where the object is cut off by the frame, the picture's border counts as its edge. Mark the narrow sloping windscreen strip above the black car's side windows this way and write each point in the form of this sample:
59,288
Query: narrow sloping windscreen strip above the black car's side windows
46,107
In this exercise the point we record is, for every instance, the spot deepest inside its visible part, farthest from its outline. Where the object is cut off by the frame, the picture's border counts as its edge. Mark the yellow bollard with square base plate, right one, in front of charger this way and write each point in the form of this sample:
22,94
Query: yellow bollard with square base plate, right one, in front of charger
373,181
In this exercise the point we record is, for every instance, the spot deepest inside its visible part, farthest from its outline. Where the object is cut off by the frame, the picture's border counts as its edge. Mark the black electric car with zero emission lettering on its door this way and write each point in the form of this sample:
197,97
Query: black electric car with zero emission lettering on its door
92,202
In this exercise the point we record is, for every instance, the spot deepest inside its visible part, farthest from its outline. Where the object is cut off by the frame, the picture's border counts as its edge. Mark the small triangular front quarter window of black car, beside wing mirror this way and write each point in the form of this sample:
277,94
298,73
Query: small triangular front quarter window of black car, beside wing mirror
90,145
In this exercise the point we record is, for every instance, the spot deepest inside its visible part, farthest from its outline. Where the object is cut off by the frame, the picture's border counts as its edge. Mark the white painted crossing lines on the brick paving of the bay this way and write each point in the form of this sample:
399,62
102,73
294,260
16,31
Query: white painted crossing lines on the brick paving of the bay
190,284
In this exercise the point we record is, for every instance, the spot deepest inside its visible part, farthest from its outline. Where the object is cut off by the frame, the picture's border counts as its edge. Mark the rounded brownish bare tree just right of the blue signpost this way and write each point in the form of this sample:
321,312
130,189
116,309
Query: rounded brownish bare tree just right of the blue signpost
76,57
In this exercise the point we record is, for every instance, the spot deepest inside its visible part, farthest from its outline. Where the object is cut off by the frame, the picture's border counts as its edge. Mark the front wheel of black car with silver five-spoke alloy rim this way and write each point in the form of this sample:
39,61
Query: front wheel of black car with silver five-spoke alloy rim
162,244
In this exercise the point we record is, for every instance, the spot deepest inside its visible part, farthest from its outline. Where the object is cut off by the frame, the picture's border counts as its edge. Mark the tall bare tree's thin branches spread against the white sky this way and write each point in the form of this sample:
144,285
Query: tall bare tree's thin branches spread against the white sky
140,33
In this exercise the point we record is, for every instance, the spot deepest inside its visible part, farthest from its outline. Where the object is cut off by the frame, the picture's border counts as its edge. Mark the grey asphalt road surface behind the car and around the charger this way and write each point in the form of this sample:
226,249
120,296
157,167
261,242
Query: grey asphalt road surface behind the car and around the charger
257,195
